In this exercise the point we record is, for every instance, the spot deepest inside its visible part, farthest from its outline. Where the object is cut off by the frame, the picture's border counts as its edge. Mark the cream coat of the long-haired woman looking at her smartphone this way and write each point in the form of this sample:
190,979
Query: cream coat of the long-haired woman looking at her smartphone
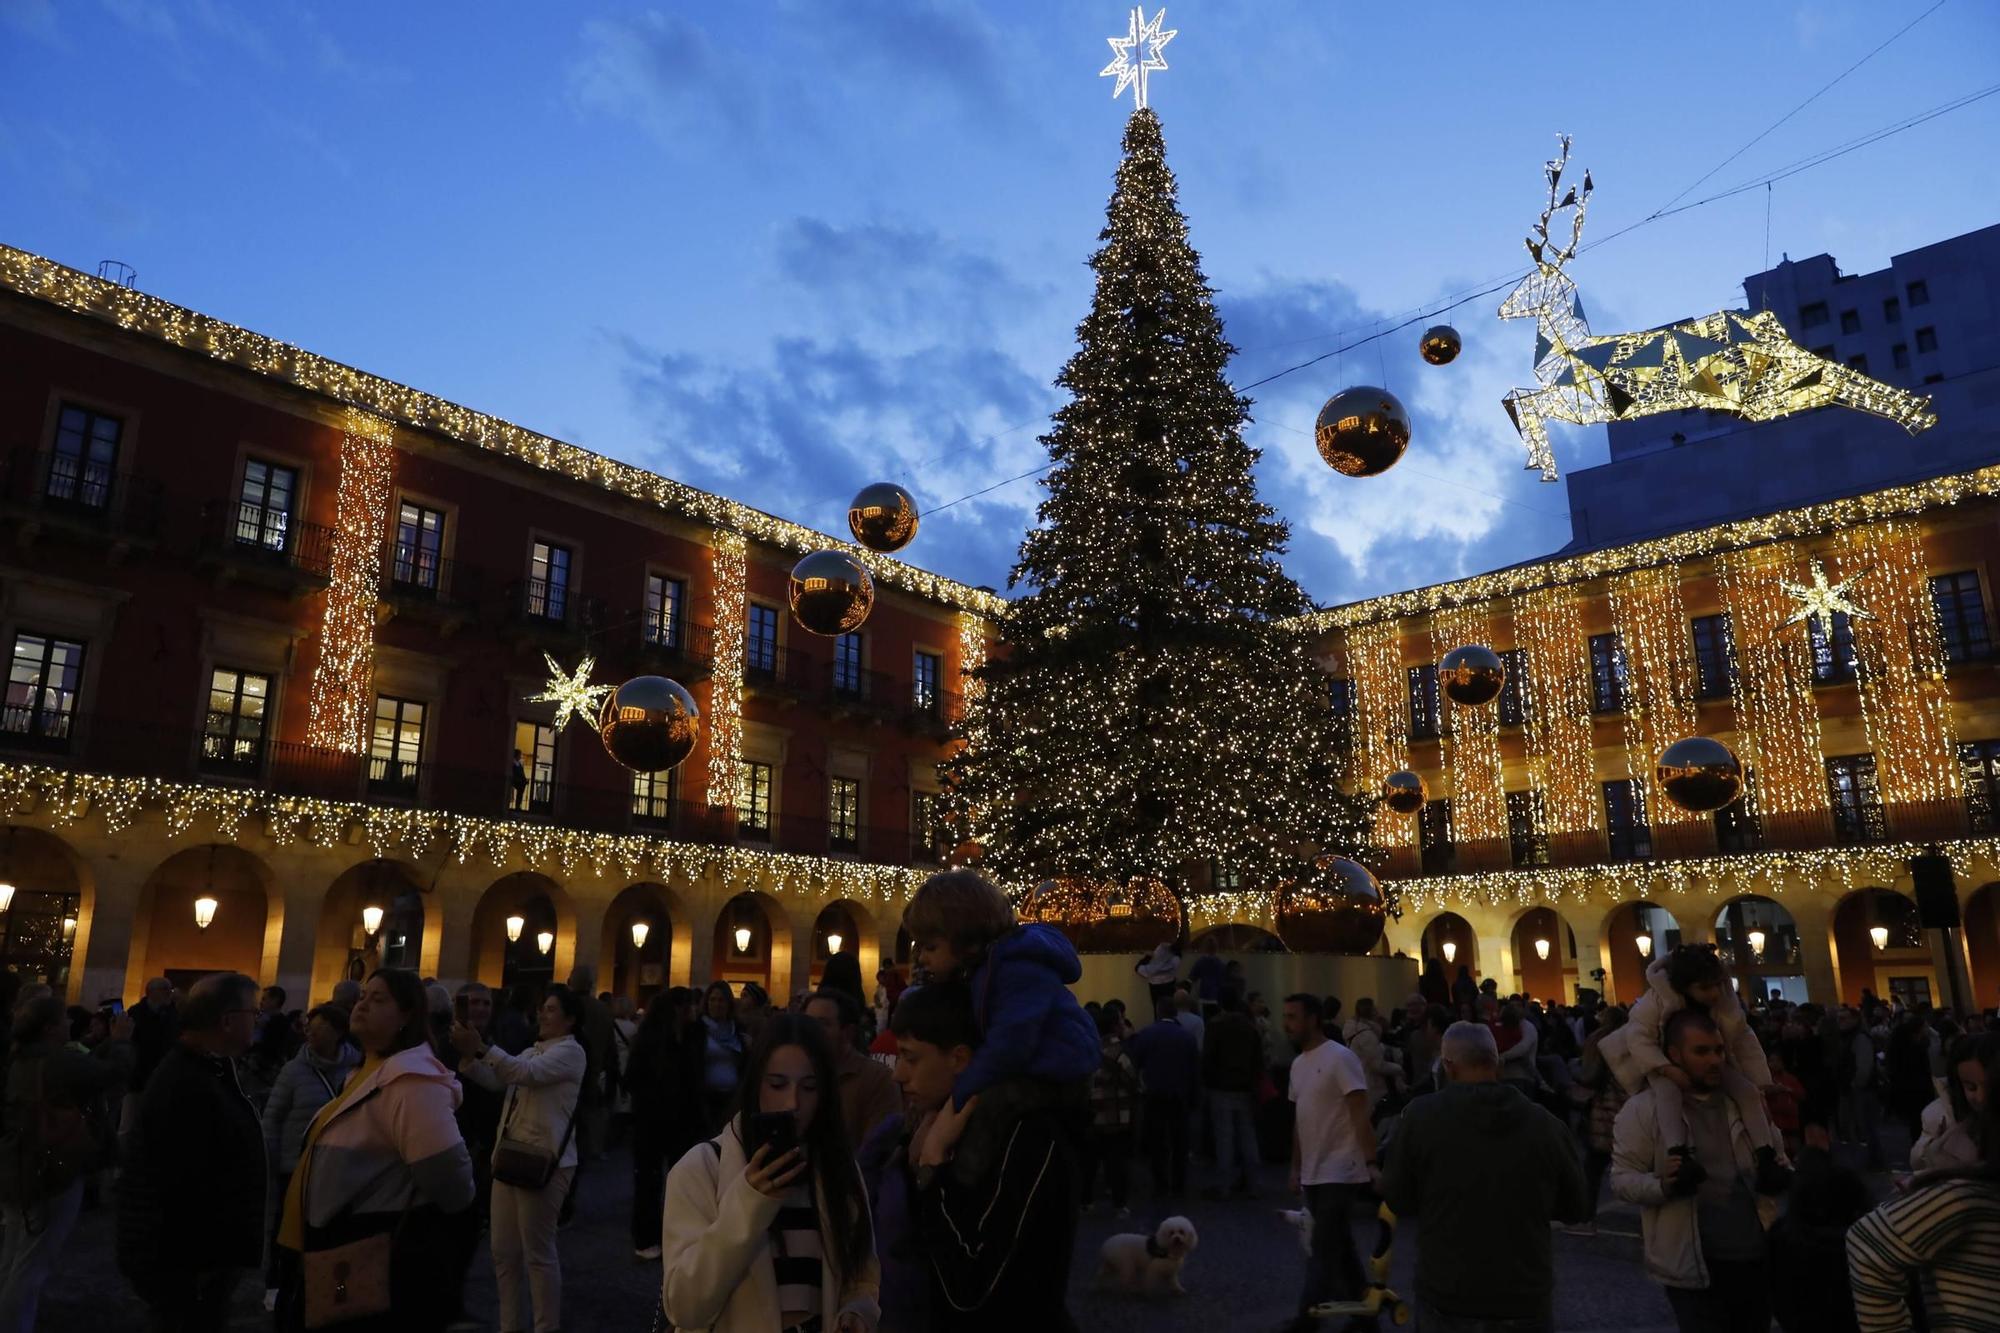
715,1240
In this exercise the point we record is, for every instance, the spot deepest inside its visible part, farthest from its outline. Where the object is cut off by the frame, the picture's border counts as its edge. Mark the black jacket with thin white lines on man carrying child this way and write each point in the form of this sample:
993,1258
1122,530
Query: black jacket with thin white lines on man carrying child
1001,1242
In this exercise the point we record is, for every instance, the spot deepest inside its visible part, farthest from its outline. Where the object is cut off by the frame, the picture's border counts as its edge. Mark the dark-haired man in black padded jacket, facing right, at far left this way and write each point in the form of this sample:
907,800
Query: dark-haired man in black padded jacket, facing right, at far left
191,1200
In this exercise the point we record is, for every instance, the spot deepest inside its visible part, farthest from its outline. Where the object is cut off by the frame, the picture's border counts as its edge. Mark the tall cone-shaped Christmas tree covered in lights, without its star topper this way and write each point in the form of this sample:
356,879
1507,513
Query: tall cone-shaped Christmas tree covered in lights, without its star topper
1147,712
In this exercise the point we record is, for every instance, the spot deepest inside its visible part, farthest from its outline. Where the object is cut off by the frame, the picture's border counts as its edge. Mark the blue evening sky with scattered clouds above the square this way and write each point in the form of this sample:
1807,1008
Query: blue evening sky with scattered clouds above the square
785,249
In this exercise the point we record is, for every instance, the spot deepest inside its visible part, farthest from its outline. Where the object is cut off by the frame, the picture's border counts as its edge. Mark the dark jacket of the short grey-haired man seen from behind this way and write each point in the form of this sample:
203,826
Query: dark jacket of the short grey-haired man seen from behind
1487,1172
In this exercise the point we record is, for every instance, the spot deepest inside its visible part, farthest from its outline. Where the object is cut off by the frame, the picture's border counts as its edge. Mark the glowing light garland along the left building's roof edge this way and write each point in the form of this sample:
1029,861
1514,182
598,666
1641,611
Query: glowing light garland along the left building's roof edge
43,279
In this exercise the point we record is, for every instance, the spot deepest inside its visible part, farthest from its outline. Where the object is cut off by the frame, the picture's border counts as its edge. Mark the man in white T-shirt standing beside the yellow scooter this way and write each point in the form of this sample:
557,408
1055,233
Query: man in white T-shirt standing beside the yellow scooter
1333,1158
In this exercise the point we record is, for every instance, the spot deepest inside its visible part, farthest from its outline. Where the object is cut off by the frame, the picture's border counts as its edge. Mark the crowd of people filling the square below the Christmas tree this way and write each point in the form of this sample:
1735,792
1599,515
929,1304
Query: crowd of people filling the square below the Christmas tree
917,1158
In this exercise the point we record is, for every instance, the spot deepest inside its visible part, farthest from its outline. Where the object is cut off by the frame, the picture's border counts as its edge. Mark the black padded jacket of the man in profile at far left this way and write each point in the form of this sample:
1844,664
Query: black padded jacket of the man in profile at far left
191,1196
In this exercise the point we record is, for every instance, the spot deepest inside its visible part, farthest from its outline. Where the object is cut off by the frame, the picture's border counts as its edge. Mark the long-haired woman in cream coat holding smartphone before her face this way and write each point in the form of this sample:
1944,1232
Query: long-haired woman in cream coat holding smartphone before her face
767,1224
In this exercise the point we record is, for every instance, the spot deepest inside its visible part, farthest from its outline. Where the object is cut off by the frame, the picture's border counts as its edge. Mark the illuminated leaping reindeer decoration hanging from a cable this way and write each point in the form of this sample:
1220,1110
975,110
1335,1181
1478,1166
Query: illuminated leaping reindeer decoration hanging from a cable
1733,361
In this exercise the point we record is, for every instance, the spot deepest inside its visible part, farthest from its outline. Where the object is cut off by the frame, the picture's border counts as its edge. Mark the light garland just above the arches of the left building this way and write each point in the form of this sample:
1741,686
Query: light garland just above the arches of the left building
69,798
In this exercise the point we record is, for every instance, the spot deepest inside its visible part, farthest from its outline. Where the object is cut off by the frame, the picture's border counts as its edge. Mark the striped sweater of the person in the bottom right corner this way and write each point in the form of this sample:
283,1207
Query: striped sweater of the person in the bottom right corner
1949,1238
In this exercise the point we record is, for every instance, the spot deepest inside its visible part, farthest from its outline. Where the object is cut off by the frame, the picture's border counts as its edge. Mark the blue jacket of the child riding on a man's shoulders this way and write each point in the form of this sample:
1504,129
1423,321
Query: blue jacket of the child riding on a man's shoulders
1031,1024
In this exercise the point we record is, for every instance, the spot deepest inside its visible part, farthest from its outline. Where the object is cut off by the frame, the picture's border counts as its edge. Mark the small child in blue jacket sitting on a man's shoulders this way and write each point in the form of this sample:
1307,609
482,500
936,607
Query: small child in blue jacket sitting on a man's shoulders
1037,1044
